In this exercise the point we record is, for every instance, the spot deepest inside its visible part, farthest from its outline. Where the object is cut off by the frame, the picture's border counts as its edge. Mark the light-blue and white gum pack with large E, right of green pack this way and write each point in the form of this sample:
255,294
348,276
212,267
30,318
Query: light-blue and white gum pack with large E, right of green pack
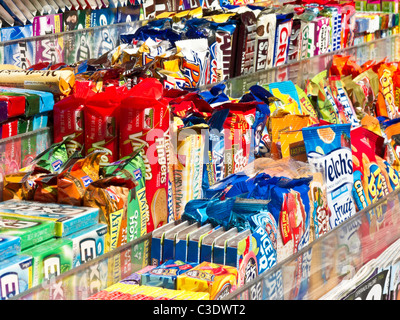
88,243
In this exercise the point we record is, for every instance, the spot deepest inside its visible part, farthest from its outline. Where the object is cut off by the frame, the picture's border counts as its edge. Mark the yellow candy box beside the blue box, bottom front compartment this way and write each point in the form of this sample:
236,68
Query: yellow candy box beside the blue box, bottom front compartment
218,280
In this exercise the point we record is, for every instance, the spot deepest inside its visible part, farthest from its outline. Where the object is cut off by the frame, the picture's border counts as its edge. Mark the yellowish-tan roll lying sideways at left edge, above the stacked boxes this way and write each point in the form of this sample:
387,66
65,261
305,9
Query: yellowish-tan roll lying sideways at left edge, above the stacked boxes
58,82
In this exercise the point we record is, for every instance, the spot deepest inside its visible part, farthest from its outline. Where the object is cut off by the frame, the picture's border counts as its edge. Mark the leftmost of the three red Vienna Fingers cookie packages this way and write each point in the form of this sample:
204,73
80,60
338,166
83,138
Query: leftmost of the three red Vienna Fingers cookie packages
68,115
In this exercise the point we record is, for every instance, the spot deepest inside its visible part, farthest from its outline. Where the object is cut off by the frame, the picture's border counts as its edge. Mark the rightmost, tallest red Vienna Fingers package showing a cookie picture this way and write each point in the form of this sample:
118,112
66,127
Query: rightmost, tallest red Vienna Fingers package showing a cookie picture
144,118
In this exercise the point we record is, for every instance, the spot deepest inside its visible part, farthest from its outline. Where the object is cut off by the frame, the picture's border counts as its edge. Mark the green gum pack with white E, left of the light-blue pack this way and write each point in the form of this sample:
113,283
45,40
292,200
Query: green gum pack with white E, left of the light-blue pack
50,259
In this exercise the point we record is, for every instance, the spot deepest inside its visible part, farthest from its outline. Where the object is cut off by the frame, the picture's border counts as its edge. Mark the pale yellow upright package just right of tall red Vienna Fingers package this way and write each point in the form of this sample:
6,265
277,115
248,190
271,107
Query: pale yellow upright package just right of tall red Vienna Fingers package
188,169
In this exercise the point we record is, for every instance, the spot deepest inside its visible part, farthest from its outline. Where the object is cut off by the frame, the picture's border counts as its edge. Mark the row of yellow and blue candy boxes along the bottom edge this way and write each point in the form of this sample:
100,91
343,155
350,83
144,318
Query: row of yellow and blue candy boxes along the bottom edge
174,280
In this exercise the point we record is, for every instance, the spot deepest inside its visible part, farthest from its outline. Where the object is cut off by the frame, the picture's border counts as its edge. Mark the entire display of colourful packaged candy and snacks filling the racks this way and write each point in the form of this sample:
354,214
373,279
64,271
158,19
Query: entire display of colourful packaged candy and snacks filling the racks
151,147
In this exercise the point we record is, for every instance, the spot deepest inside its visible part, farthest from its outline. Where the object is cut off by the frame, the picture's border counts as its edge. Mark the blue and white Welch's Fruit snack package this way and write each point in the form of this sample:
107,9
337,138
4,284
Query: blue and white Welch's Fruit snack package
328,147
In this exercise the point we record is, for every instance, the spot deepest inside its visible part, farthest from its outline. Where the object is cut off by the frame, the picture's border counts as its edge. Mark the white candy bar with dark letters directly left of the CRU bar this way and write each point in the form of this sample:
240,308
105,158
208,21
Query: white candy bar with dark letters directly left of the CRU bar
265,40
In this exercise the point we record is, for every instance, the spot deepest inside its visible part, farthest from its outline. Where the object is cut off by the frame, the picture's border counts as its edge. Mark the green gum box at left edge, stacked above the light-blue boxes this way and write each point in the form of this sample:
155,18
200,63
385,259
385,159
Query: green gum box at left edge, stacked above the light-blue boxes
30,231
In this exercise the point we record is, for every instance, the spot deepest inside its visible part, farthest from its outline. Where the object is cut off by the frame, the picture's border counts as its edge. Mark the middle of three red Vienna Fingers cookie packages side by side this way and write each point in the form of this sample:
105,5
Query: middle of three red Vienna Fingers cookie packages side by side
102,123
